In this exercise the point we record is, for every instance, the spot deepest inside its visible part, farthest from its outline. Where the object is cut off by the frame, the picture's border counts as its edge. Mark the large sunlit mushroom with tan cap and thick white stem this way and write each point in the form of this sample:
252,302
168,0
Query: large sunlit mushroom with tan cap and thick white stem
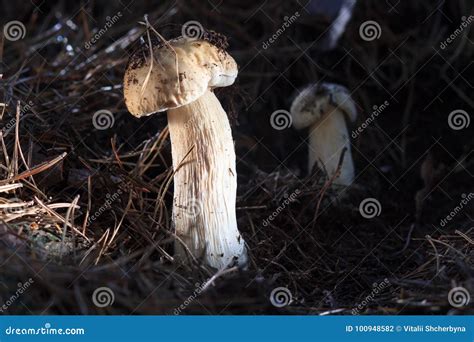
180,80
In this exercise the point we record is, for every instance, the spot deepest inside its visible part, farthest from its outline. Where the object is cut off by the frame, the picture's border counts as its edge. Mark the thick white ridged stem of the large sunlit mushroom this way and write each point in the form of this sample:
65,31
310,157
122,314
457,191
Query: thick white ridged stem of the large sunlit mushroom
205,183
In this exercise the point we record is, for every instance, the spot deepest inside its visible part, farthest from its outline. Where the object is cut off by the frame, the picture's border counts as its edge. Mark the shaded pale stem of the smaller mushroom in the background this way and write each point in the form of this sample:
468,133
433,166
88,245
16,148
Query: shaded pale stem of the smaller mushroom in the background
327,138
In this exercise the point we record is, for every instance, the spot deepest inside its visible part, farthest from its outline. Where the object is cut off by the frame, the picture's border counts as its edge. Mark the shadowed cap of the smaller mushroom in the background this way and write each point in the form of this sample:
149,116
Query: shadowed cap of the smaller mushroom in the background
319,99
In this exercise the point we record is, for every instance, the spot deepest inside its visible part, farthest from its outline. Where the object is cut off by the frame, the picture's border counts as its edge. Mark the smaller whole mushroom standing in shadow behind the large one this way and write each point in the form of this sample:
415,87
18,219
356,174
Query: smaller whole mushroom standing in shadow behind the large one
324,108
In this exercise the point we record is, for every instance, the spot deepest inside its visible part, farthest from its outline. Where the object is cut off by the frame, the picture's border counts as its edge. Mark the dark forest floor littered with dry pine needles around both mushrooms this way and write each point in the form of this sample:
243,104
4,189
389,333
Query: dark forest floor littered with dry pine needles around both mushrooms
82,208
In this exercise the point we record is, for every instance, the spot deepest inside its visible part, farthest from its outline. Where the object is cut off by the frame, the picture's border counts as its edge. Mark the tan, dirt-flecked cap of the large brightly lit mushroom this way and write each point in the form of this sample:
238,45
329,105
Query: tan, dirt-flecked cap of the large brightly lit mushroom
179,75
